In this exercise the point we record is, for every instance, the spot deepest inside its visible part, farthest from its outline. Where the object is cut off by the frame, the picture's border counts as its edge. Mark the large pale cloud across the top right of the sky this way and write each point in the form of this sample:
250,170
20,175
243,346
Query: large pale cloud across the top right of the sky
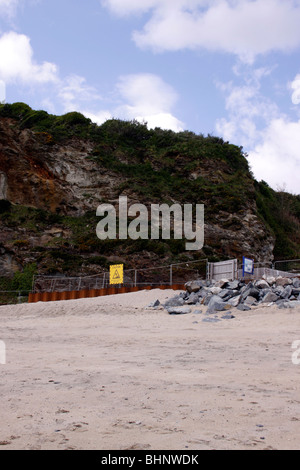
245,28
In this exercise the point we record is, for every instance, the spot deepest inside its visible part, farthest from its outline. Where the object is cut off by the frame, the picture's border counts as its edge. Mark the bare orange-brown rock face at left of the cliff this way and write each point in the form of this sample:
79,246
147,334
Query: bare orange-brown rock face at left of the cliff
48,176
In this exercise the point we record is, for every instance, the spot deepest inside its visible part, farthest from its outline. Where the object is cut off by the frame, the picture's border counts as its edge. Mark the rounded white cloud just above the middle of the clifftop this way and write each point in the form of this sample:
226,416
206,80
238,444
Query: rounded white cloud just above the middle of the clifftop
146,97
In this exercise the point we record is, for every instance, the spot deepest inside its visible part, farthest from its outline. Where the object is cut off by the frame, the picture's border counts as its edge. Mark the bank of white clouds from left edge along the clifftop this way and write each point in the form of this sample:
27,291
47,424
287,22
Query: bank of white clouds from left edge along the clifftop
145,97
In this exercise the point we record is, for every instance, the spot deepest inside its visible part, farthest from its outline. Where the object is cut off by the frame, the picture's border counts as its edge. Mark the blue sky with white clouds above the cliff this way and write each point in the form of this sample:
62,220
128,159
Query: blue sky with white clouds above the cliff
229,68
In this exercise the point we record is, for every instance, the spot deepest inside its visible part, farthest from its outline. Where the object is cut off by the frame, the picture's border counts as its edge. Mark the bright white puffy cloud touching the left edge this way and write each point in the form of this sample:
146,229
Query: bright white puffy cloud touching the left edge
17,63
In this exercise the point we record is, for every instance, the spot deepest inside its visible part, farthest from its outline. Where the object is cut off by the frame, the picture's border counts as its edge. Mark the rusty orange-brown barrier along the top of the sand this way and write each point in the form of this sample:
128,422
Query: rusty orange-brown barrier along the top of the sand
84,294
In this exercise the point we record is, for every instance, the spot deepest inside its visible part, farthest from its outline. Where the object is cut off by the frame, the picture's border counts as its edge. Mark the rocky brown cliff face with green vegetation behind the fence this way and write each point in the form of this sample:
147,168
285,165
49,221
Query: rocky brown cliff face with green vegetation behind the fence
63,180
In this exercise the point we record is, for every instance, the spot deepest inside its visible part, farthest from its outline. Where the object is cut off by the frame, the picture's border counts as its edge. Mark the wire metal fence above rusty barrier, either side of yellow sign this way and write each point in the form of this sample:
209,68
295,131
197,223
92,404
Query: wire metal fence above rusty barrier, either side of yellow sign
178,273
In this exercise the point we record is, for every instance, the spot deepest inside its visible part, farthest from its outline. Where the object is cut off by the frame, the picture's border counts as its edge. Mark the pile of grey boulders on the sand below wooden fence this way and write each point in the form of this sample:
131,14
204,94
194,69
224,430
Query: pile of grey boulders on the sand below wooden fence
220,296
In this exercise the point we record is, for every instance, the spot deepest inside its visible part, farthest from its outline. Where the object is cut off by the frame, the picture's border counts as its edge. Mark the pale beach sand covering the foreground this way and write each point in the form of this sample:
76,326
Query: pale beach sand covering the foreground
109,374
